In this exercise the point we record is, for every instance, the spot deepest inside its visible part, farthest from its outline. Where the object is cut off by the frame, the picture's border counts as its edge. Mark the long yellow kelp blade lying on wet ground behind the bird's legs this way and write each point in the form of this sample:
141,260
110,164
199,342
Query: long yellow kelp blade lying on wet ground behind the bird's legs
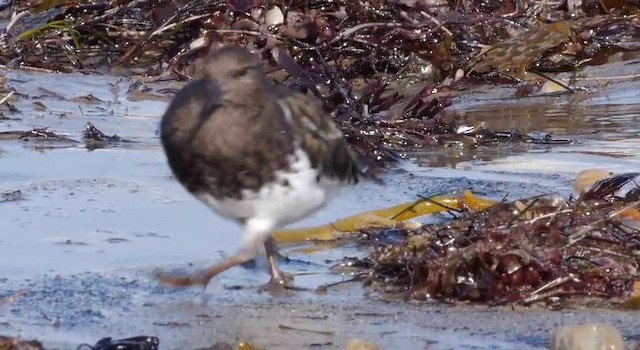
382,218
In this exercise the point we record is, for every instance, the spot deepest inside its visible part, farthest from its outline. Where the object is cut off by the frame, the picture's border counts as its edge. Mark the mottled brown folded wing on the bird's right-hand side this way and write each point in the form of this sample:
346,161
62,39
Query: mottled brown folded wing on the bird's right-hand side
321,138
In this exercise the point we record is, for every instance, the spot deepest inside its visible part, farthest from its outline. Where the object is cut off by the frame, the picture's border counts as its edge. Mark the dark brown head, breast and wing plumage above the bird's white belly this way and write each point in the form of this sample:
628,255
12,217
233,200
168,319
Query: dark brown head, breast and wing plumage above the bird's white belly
220,142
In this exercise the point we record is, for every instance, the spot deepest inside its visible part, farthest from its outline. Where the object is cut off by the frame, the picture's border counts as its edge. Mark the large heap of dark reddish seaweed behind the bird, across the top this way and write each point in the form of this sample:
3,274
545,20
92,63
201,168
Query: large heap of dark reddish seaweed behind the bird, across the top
351,55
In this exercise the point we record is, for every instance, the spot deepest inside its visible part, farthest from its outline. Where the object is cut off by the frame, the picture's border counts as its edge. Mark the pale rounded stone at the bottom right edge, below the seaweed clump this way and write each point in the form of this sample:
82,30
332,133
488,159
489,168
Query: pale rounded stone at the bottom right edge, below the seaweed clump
594,336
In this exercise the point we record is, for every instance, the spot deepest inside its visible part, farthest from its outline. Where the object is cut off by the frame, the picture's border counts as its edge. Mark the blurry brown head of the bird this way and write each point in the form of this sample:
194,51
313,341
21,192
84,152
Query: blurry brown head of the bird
236,70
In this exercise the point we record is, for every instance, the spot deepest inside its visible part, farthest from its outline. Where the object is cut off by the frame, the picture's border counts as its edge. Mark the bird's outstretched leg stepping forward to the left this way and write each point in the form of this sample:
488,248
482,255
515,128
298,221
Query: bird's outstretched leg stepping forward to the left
203,277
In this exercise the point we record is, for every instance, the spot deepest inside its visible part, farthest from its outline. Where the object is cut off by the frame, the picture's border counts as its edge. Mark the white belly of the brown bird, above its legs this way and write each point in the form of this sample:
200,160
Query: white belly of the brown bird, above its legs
281,205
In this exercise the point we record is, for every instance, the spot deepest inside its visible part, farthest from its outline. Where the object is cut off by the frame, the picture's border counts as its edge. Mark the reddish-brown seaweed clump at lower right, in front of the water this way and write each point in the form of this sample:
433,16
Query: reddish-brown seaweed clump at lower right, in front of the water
540,250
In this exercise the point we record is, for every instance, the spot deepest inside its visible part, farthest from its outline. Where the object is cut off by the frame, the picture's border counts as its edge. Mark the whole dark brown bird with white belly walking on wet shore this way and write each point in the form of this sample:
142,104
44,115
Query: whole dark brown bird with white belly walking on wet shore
255,152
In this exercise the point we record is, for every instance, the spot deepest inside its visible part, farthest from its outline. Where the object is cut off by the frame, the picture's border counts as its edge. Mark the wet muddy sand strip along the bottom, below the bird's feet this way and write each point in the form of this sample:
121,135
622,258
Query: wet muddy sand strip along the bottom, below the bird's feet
85,307
